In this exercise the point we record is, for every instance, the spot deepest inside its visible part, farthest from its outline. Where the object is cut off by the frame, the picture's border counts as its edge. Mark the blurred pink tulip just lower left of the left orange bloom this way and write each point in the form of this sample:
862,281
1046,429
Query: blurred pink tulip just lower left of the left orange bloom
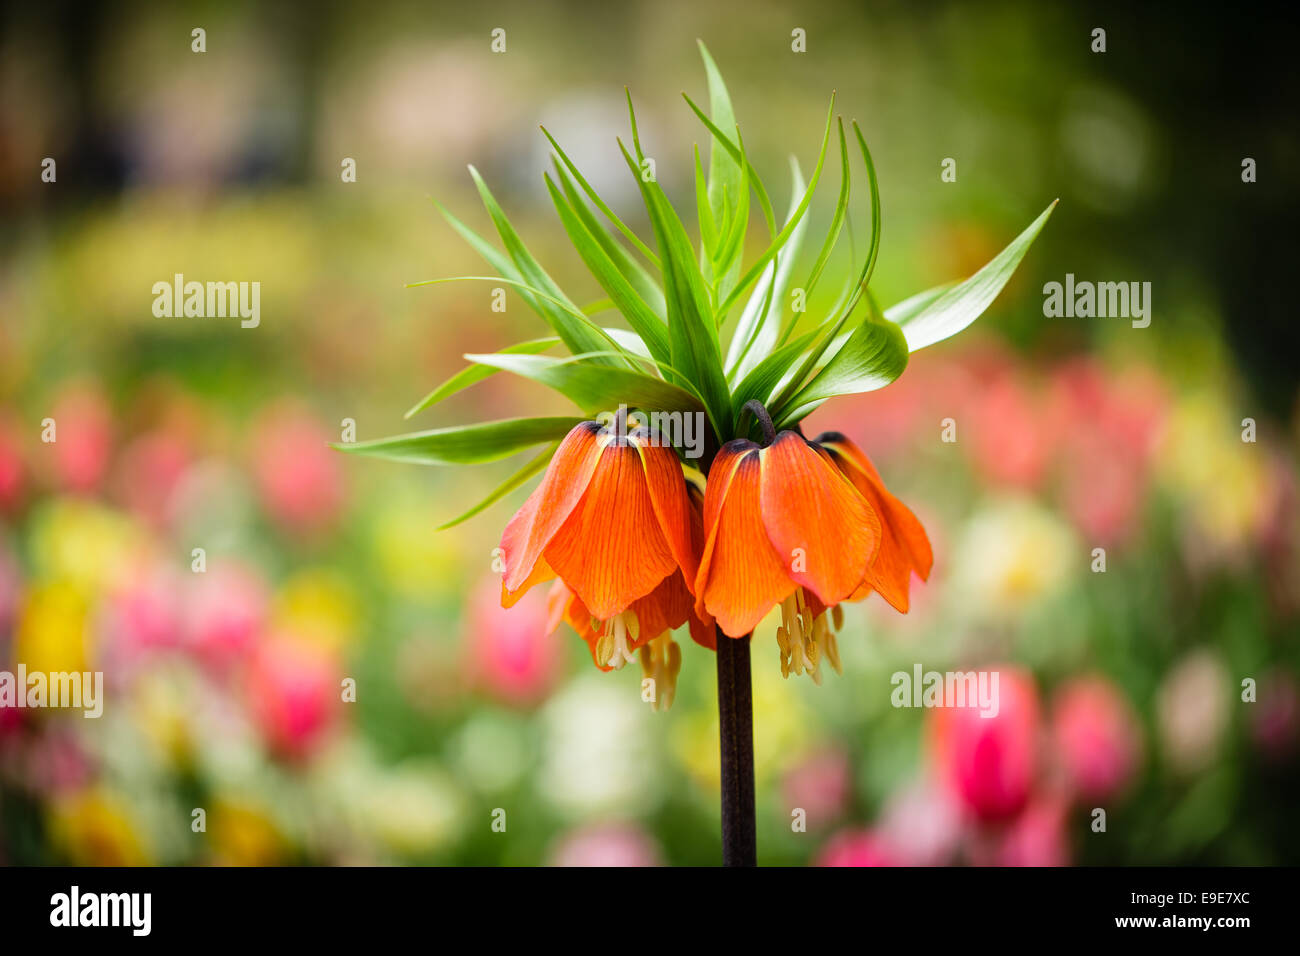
512,652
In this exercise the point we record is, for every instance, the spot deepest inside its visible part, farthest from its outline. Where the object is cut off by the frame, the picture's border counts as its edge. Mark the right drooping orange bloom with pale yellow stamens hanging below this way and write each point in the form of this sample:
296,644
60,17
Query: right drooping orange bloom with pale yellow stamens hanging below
788,525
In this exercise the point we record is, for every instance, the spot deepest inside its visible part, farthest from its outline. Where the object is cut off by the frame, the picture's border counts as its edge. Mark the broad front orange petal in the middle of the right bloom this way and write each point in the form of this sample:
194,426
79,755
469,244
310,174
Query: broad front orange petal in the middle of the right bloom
824,530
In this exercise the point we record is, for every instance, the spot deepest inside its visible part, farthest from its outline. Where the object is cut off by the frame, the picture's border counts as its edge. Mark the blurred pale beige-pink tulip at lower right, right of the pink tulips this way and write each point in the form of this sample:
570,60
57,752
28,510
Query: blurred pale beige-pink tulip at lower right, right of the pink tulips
1193,712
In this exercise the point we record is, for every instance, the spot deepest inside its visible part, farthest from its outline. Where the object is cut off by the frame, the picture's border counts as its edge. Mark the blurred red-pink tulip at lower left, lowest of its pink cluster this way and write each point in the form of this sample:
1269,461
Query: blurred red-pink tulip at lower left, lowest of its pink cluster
294,693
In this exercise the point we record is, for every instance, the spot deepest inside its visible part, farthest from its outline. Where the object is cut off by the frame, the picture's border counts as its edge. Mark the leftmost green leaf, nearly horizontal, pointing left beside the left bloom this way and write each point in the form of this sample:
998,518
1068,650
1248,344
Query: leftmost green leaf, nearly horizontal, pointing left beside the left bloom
484,442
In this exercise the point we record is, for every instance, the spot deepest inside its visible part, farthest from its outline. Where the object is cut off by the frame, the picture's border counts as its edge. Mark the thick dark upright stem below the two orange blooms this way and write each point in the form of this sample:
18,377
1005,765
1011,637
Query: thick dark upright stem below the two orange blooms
736,739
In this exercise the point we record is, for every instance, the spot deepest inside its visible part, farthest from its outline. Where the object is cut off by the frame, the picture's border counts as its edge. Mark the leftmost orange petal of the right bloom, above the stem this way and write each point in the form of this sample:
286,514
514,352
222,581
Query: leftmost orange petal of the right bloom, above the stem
742,578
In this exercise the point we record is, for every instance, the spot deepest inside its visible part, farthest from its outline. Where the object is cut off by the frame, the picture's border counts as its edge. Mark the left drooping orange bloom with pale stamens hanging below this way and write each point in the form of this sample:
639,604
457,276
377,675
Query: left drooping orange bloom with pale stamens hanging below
614,518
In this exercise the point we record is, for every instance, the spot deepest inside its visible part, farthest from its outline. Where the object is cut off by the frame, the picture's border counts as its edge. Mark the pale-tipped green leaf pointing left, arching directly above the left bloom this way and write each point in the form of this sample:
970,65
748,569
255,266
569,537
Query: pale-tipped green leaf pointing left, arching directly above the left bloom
595,388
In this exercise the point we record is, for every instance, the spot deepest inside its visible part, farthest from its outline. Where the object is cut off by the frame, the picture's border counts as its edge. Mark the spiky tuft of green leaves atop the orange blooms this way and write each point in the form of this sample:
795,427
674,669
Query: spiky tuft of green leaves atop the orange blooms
679,302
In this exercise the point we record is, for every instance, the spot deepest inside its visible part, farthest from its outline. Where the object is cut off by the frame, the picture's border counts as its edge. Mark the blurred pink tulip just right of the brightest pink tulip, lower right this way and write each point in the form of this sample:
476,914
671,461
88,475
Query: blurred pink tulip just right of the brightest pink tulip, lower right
1097,738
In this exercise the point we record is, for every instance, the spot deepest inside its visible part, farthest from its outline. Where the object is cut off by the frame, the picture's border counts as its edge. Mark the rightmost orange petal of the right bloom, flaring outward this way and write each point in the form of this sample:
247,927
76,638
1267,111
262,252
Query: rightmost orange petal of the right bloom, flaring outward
904,546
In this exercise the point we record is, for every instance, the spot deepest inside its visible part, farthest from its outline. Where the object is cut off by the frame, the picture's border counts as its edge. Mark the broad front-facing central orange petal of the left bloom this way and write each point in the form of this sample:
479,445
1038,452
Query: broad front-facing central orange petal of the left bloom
610,551
